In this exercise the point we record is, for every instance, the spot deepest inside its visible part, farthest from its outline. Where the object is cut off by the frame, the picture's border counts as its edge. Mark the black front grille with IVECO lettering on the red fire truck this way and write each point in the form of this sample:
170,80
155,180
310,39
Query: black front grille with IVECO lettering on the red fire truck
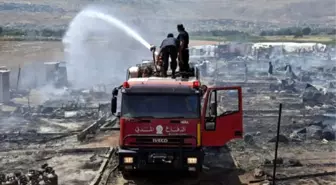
163,140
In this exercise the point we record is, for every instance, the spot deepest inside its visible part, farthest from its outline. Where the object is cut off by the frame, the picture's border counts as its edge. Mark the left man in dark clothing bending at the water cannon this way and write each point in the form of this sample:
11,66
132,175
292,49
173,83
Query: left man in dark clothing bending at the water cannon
168,49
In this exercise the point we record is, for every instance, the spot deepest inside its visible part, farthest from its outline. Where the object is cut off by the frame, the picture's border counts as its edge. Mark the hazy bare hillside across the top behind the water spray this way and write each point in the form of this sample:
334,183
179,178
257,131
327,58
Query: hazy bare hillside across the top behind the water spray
209,14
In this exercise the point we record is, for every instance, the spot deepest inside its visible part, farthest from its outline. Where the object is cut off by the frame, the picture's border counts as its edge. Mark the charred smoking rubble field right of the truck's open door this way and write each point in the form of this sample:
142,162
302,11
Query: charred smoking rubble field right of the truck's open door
305,84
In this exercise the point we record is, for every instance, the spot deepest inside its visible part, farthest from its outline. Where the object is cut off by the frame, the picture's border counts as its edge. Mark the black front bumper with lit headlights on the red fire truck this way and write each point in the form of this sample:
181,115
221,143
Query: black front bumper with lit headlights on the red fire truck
161,159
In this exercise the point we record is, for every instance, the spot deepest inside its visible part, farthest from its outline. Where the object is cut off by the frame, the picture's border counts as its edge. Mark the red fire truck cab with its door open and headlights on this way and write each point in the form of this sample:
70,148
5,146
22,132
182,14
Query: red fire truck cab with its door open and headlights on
165,122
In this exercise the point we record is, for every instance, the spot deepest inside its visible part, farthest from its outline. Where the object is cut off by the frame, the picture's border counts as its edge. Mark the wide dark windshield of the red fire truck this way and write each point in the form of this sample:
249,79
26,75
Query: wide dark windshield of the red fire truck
161,106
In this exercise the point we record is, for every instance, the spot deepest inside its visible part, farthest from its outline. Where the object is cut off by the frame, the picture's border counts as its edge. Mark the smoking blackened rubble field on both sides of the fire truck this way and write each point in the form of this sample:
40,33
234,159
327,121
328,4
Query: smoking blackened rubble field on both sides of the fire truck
55,116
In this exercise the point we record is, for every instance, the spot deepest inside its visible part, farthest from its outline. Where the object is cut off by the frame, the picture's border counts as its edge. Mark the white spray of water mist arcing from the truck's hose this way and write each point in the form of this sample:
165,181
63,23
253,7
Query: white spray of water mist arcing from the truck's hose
99,48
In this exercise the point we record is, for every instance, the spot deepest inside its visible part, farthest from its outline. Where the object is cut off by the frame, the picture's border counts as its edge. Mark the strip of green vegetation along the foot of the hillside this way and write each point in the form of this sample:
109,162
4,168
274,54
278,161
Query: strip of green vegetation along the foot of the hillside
292,34
